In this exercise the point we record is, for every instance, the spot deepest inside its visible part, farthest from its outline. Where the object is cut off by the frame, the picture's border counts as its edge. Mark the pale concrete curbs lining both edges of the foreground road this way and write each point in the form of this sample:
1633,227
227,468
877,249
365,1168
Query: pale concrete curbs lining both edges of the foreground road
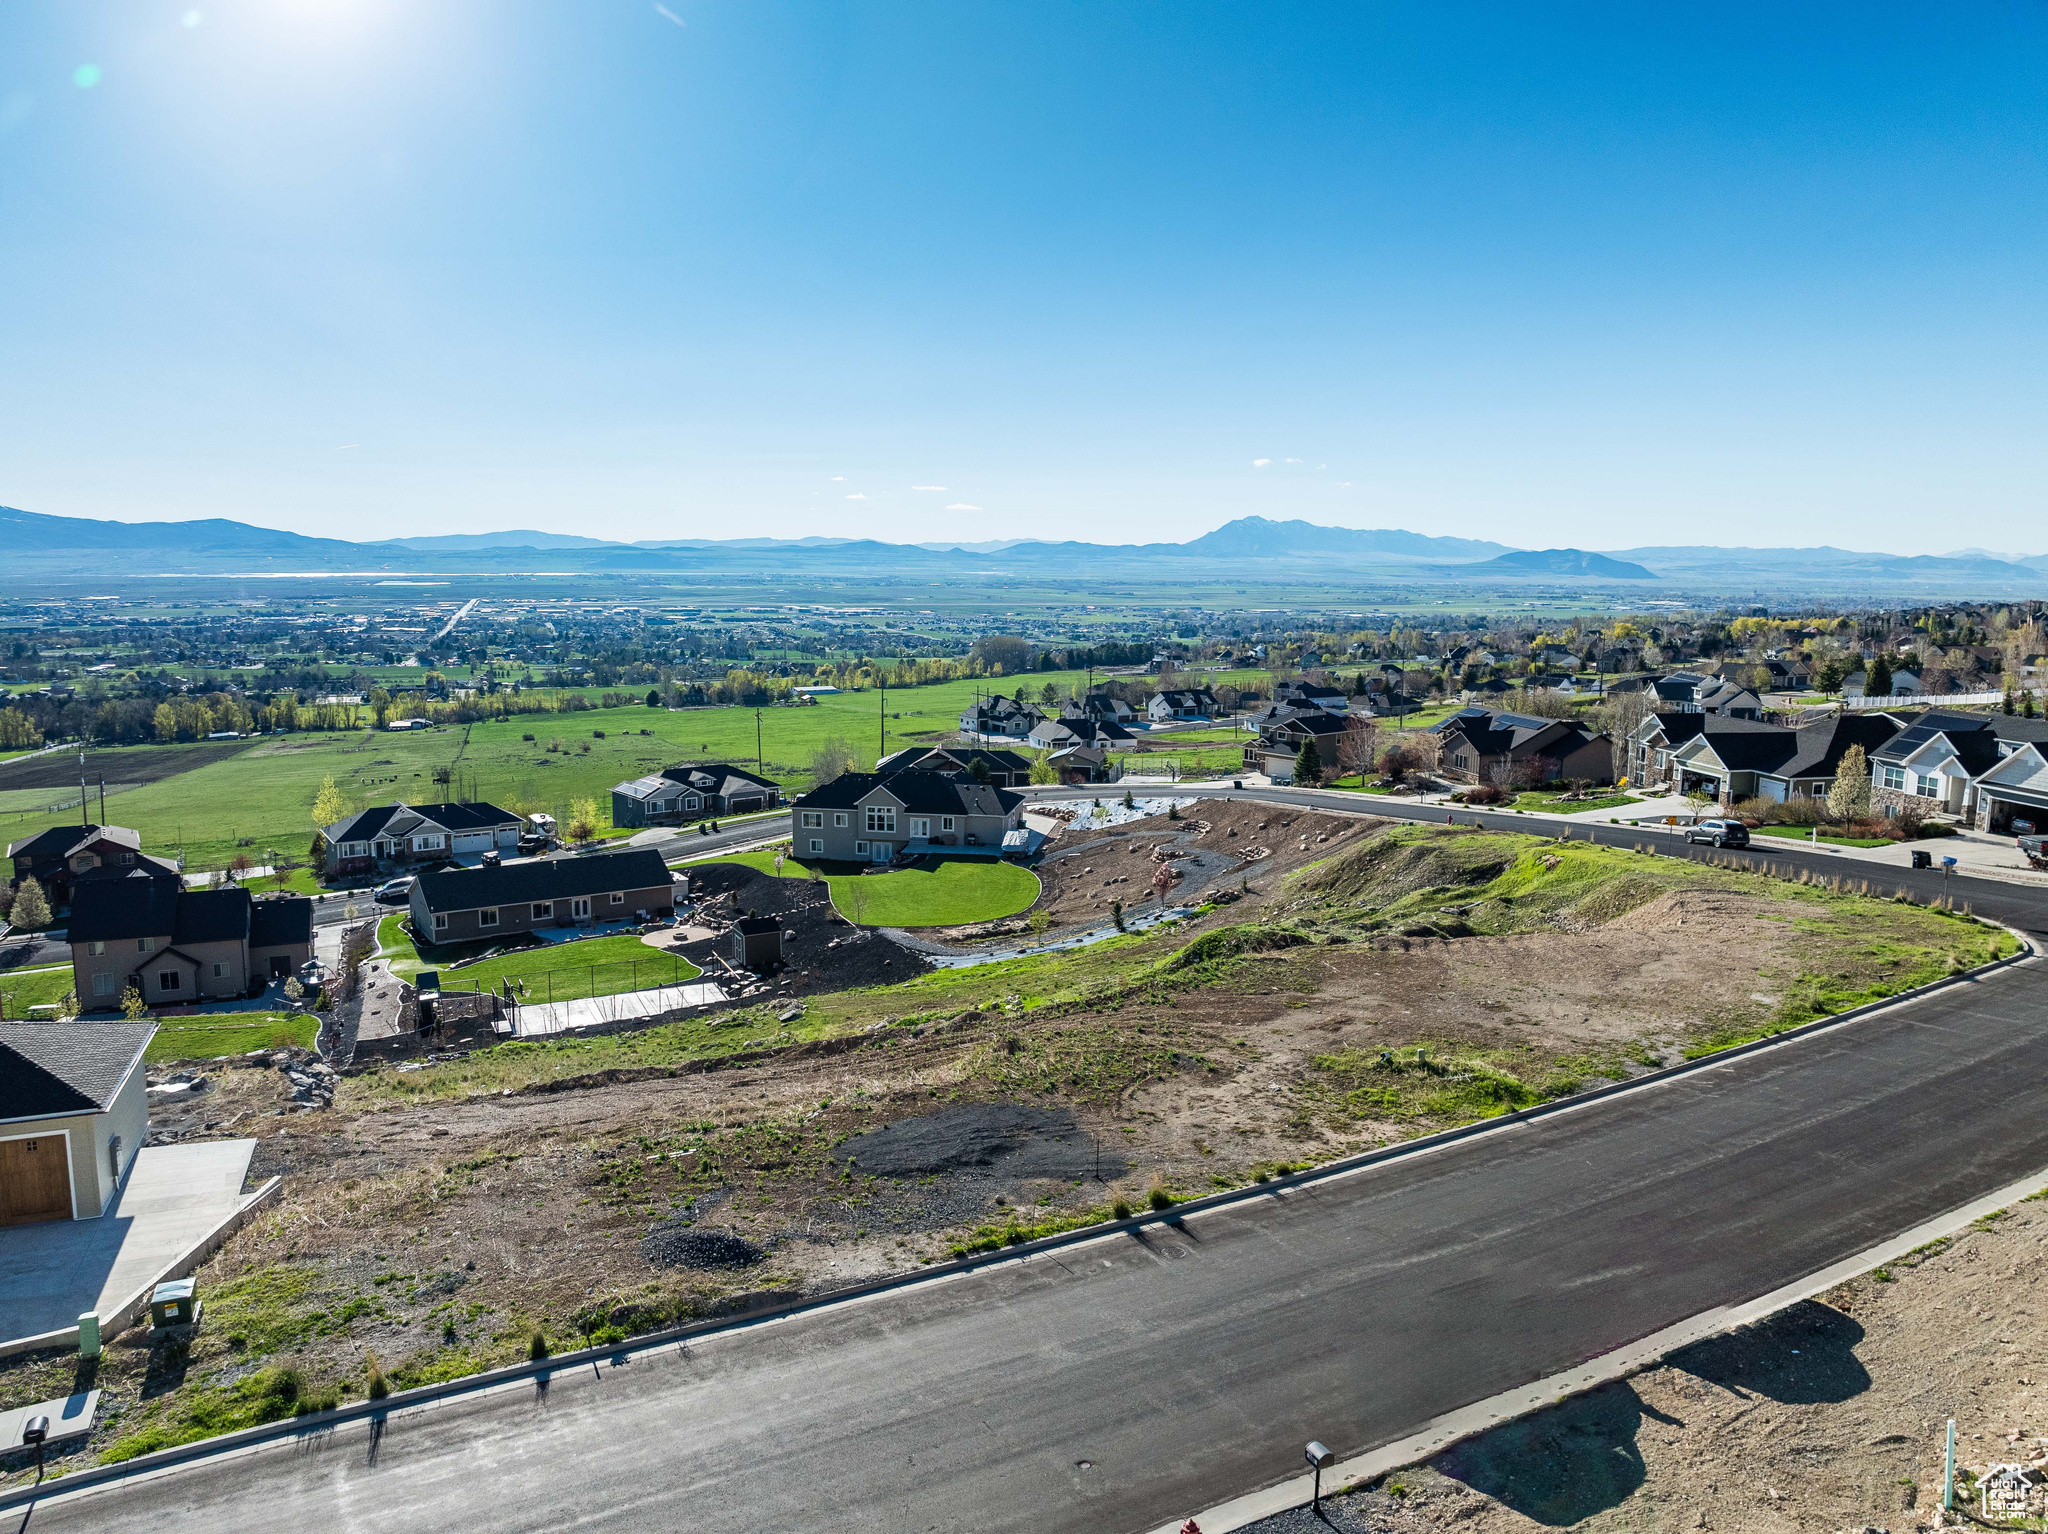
962,1267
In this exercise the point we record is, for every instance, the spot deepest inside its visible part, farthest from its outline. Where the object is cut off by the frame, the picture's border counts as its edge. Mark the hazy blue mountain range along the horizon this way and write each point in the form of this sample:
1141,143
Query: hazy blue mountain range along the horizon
1252,548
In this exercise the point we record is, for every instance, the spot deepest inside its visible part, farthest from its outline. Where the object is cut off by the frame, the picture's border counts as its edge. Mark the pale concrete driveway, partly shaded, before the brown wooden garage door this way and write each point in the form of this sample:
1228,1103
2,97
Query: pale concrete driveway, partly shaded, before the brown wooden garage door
175,1195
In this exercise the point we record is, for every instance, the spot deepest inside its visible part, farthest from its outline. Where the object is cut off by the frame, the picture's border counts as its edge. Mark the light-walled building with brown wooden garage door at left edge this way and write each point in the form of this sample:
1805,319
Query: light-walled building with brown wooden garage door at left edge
75,1113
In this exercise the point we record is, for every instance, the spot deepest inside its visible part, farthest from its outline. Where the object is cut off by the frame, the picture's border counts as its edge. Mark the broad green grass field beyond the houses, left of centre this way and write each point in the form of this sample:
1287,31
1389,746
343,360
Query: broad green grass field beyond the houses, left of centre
263,798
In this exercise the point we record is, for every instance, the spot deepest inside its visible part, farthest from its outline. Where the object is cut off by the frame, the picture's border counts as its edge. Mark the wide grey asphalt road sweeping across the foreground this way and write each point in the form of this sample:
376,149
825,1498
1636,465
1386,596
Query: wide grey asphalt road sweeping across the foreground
1189,1367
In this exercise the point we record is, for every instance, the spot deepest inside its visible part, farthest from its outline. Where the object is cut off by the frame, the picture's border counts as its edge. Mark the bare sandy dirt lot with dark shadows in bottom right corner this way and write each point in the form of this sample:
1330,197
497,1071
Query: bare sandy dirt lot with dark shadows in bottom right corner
1826,1418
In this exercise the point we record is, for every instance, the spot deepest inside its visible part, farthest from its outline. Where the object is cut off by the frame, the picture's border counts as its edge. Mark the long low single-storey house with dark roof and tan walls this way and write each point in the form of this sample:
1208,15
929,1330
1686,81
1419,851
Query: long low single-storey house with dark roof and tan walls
497,902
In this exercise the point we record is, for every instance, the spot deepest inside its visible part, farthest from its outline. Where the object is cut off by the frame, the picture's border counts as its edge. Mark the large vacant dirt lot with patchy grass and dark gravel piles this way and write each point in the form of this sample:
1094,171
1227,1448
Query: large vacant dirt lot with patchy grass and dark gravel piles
607,1187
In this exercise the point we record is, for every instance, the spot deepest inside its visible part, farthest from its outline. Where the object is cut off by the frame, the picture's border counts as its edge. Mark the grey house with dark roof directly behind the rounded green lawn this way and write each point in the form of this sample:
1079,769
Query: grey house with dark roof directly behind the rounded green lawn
871,818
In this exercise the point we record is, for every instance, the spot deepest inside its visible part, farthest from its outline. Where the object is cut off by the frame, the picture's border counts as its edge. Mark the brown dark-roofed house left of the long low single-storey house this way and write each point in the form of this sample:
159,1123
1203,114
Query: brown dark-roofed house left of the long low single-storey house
144,929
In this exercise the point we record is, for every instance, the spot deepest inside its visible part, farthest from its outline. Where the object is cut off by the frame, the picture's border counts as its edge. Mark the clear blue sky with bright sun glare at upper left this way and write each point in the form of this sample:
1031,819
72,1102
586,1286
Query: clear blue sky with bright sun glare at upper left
1592,275
